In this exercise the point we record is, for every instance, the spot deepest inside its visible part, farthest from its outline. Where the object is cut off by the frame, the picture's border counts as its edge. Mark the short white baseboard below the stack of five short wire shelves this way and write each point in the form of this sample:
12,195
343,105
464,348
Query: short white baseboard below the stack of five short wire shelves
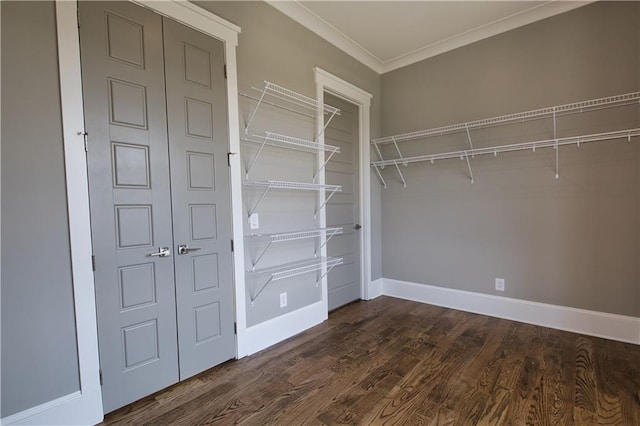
276,330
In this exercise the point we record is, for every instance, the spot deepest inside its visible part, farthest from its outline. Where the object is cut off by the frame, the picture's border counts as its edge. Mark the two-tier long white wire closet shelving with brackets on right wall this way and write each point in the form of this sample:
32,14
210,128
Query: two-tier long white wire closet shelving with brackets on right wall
549,112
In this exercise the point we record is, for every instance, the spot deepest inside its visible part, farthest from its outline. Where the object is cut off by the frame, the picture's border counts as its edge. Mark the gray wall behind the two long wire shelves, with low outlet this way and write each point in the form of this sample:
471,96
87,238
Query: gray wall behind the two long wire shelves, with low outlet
572,241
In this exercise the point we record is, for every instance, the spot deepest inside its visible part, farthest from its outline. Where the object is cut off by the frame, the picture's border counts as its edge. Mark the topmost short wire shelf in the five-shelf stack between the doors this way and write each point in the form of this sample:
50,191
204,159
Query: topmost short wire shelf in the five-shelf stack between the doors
272,90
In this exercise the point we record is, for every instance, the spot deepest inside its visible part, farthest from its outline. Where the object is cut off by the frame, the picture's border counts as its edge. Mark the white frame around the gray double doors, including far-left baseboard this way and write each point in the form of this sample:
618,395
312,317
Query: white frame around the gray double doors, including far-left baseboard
85,405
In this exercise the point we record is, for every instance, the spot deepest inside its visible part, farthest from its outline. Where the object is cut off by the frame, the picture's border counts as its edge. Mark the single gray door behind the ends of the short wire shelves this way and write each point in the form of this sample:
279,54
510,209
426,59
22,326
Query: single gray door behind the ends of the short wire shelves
343,208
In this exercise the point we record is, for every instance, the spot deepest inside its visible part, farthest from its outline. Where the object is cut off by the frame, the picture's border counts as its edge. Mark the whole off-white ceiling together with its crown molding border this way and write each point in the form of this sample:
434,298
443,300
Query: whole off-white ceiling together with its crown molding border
386,35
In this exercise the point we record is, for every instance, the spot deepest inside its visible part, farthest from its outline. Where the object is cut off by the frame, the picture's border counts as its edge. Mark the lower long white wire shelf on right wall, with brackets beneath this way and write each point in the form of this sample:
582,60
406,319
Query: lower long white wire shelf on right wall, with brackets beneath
495,150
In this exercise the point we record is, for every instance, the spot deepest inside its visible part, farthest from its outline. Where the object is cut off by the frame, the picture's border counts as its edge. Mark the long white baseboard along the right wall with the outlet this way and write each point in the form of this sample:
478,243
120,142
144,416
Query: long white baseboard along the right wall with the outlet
599,324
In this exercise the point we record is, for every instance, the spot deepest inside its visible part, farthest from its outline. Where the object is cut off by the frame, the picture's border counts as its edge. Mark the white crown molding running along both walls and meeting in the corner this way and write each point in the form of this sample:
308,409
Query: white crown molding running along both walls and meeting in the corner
296,11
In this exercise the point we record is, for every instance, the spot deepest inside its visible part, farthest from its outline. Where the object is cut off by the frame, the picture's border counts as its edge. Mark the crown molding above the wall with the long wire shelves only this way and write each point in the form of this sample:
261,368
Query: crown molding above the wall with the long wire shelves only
536,13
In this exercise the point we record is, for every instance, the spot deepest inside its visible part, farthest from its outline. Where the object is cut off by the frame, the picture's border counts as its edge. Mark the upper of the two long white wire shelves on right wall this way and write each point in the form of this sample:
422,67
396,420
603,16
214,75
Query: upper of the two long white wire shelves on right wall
559,110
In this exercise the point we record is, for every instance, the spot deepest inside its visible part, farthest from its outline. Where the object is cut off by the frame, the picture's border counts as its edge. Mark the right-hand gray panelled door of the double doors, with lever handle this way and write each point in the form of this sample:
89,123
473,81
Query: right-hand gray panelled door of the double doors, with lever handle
198,134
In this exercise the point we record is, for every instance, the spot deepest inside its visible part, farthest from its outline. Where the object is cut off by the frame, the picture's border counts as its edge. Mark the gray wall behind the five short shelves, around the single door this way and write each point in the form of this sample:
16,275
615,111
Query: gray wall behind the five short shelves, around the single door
273,47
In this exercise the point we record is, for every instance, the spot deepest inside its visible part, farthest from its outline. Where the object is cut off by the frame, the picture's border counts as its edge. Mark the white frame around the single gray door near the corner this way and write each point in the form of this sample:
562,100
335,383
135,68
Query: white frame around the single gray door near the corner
327,82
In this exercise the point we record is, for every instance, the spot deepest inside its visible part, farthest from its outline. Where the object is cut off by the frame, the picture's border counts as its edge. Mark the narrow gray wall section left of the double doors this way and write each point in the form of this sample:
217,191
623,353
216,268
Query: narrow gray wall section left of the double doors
39,353
